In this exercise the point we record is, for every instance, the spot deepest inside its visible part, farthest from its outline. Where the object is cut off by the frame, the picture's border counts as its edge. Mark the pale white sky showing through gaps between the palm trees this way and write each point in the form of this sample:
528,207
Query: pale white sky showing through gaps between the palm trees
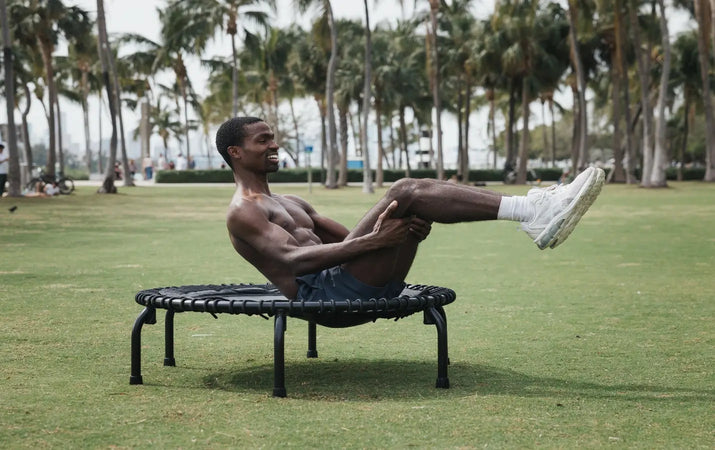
140,16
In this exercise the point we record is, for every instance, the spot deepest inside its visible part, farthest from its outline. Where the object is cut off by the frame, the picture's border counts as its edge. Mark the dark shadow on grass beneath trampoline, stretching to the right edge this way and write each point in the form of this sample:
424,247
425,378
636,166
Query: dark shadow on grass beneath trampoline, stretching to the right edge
400,379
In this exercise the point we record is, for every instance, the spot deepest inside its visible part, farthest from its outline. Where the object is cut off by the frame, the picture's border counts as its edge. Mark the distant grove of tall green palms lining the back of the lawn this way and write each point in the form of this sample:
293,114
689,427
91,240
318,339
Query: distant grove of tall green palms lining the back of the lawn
641,94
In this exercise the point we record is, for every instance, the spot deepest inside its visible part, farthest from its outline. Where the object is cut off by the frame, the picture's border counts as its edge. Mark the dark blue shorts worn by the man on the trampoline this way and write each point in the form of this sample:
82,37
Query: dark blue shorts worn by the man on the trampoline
337,284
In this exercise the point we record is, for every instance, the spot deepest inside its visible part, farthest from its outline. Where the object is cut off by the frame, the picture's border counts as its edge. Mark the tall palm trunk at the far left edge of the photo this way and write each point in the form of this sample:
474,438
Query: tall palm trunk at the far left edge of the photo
14,188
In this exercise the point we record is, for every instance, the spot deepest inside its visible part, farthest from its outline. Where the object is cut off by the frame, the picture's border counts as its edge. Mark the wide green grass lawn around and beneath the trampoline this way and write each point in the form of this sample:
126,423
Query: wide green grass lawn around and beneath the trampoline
605,341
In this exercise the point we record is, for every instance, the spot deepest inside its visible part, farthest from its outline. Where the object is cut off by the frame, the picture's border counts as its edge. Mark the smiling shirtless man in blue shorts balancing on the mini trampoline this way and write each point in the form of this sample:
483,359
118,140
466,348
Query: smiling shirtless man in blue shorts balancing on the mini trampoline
310,257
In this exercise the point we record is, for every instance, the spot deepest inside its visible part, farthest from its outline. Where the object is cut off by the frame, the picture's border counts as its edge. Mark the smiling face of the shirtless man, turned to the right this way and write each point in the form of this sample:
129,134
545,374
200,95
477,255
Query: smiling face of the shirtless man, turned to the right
259,151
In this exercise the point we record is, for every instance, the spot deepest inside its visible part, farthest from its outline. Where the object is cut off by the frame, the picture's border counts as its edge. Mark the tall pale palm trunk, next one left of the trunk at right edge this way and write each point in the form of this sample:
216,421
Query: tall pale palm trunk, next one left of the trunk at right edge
660,155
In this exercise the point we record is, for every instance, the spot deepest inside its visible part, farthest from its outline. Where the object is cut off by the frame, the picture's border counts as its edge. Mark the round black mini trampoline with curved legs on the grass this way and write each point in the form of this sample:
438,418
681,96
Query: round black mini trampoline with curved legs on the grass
267,301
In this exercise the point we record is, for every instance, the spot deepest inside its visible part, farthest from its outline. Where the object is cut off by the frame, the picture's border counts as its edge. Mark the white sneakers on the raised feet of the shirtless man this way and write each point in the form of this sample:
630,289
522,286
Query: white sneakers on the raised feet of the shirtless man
560,207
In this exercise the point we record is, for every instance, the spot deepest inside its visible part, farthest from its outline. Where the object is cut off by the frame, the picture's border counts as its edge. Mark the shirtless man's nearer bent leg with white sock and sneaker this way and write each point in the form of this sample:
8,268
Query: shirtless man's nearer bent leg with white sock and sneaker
547,215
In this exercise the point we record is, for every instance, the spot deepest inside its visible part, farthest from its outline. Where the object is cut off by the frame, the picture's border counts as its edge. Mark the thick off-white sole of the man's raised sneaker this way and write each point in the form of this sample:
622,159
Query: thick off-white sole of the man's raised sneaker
562,225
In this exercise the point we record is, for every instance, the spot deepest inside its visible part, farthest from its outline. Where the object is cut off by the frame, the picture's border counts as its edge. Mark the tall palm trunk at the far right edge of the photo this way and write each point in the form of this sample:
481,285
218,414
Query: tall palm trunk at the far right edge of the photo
704,58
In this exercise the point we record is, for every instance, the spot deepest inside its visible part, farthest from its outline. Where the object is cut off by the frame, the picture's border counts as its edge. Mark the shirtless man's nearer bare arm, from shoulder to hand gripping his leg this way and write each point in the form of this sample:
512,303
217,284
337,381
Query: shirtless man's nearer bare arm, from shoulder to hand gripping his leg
249,225
